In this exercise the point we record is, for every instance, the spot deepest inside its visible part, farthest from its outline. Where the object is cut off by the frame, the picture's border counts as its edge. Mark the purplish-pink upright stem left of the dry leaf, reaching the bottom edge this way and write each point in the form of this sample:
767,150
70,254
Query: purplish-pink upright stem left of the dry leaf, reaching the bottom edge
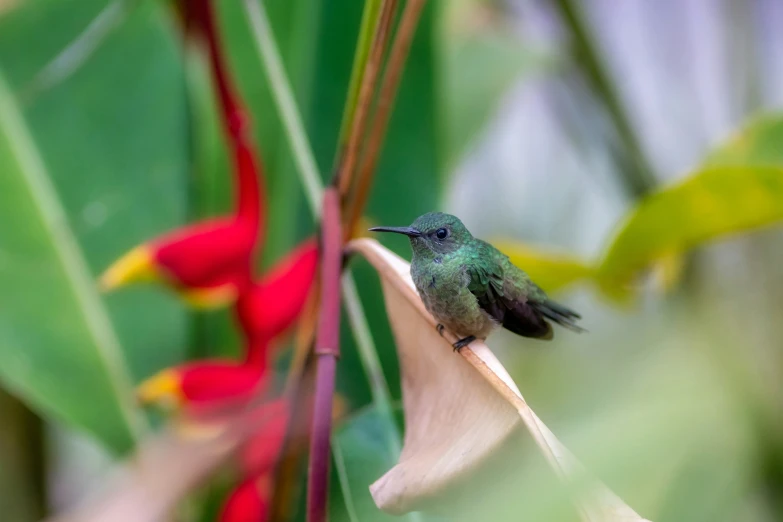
327,350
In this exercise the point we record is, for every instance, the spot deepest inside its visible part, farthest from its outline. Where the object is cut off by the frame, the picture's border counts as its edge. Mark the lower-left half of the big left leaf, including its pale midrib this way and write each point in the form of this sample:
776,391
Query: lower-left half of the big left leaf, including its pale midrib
57,345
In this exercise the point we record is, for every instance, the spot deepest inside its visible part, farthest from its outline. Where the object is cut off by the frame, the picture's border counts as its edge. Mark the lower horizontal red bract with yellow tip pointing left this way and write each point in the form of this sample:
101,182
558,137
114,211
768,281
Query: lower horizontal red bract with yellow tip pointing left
203,387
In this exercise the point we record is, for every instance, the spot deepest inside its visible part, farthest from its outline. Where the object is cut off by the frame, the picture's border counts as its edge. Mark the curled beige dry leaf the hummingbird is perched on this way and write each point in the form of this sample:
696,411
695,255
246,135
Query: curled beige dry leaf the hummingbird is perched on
452,429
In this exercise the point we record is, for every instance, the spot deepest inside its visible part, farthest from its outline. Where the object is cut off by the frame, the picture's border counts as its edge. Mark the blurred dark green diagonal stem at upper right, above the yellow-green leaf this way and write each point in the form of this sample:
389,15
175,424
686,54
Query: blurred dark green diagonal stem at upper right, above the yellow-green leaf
639,178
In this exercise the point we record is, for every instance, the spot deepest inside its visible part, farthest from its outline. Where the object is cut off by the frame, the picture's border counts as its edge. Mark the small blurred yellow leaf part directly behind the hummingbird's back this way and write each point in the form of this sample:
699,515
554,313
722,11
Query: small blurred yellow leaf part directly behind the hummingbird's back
552,271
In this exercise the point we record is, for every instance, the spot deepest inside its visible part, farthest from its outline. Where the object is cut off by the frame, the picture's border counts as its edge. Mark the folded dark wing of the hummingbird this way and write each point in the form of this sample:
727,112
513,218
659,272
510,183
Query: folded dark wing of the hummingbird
510,309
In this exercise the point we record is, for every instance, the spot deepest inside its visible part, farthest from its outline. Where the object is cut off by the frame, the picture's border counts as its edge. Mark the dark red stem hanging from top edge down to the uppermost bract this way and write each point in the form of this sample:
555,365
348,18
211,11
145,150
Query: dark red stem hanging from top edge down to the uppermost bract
247,169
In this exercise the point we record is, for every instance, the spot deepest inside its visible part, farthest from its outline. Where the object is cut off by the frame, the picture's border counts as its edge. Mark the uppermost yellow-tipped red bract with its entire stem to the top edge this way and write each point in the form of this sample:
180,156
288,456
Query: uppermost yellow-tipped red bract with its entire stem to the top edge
208,263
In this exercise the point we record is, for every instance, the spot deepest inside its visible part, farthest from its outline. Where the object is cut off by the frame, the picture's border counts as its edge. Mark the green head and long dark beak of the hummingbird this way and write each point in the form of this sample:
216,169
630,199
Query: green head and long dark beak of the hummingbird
433,234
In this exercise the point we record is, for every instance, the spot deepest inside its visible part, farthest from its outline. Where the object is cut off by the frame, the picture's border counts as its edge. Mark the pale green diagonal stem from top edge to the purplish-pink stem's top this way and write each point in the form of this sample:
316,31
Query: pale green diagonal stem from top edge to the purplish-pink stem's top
286,104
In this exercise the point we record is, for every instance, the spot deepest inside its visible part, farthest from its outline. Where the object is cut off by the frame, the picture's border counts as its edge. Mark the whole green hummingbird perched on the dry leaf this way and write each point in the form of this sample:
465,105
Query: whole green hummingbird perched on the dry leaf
472,288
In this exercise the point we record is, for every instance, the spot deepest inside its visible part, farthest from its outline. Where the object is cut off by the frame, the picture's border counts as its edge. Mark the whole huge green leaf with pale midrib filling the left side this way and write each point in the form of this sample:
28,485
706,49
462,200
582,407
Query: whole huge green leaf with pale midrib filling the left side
110,143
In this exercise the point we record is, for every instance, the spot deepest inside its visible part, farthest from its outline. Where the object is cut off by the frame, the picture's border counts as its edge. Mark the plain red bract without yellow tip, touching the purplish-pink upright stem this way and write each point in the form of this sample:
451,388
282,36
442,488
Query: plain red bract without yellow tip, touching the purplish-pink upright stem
271,306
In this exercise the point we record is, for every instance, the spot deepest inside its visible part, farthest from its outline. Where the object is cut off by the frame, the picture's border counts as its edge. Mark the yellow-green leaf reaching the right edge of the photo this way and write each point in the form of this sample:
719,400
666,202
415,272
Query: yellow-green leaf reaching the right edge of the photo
739,189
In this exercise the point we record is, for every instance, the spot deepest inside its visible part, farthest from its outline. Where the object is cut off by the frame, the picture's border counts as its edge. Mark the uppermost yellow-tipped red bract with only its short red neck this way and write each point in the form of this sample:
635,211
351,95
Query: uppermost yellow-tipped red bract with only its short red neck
208,263
